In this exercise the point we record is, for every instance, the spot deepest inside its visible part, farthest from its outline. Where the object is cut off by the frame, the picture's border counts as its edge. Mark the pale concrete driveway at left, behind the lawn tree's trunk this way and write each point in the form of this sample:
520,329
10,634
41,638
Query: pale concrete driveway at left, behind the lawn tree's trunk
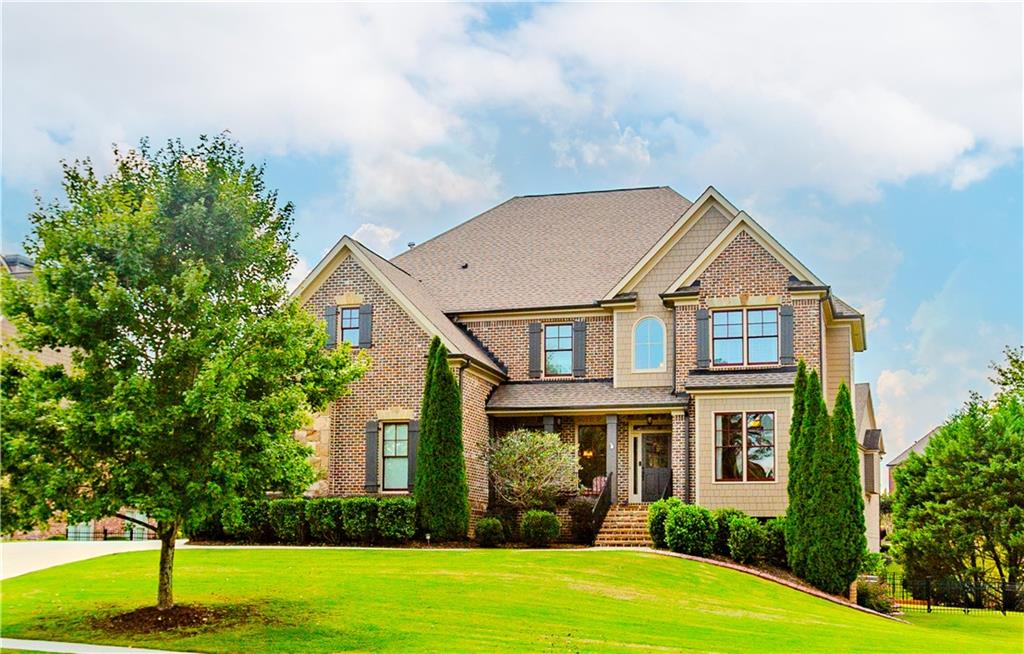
28,556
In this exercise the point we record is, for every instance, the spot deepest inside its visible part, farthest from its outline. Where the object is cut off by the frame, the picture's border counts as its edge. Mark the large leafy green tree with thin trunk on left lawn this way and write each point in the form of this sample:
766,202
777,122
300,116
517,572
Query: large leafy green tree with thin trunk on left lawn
167,282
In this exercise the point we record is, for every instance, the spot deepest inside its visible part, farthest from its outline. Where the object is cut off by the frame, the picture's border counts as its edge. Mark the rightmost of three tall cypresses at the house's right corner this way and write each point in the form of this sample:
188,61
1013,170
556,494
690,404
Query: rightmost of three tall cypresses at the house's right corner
837,507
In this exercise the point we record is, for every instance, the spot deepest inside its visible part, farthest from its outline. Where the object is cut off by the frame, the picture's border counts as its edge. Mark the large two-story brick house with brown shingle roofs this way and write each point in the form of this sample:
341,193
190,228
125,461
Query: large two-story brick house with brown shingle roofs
660,335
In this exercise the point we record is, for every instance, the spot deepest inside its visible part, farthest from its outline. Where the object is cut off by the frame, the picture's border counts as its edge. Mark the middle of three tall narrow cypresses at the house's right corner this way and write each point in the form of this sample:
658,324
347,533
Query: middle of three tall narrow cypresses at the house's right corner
814,430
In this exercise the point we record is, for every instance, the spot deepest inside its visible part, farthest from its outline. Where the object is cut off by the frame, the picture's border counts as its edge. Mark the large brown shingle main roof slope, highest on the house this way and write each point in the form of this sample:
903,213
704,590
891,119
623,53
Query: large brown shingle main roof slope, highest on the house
539,251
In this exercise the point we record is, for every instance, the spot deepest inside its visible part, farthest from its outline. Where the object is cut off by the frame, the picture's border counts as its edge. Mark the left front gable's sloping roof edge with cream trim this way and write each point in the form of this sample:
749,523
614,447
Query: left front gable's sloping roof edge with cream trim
404,290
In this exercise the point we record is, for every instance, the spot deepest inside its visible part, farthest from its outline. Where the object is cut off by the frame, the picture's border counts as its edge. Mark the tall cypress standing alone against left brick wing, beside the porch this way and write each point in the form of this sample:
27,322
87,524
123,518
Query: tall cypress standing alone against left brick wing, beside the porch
441,488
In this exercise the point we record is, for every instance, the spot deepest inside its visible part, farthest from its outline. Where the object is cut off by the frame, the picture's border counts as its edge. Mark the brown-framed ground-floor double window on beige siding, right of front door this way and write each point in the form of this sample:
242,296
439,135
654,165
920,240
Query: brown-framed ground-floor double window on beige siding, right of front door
745,447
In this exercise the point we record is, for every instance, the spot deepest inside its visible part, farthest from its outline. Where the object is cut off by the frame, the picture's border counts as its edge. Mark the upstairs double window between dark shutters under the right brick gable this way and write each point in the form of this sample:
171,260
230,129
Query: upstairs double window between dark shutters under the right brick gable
733,345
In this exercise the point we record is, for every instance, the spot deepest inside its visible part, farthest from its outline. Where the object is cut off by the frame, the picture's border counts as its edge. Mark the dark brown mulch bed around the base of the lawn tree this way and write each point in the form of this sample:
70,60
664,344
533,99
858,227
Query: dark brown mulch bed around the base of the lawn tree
184,617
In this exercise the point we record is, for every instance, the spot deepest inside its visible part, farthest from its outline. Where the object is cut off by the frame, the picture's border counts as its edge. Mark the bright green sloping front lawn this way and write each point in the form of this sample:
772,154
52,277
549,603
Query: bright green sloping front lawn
413,600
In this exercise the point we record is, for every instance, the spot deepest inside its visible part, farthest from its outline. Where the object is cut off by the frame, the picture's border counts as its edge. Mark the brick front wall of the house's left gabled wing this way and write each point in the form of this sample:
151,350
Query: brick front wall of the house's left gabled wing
395,380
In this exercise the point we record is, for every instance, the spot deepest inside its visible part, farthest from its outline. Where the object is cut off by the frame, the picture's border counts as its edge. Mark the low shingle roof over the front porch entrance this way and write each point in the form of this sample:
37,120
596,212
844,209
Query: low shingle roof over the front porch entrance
577,396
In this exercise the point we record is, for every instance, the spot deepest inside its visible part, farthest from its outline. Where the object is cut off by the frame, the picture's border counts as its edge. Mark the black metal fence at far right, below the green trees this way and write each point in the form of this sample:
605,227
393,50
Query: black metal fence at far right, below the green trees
952,595
